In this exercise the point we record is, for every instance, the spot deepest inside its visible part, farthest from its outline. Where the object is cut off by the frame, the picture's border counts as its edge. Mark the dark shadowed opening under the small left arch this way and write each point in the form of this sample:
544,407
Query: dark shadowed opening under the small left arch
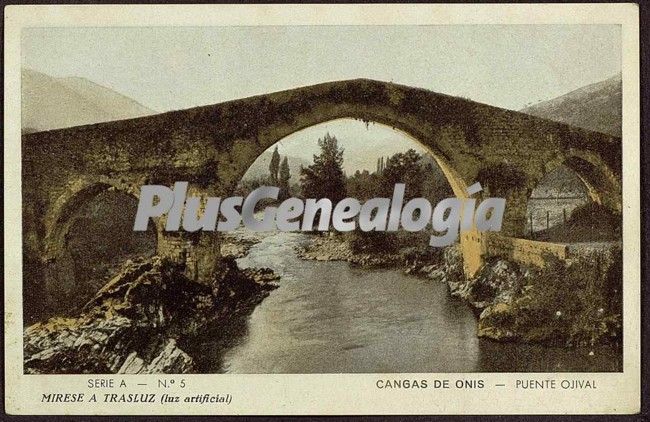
71,270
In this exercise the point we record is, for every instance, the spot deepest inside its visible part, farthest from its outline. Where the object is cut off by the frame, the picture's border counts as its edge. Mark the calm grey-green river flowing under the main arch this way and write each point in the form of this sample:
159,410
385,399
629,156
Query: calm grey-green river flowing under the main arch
334,317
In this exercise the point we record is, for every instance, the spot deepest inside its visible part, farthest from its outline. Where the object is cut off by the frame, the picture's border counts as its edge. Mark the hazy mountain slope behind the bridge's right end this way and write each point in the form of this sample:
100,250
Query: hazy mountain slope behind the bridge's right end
595,107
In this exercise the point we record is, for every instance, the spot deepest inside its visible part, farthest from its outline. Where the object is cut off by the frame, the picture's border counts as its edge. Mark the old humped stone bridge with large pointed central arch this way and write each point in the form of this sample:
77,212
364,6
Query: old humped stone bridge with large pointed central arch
212,147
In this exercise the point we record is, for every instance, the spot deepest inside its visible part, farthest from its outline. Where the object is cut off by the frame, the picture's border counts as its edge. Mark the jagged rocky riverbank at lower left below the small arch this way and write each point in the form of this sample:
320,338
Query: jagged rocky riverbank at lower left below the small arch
140,320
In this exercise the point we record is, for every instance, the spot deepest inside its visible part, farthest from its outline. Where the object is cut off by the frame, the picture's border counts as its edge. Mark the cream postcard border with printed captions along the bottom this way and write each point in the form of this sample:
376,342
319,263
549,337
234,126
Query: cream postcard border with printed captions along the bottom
328,393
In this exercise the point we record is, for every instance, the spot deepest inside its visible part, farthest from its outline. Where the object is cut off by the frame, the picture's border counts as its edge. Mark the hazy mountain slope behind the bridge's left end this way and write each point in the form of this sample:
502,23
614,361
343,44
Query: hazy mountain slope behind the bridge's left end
53,103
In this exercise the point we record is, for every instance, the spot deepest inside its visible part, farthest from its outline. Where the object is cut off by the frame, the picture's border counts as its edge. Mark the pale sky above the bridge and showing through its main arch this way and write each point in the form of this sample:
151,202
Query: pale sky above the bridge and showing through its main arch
172,68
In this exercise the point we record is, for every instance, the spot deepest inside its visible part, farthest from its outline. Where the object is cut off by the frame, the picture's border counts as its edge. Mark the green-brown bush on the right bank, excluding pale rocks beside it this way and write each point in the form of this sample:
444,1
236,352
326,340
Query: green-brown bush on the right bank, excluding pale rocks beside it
576,304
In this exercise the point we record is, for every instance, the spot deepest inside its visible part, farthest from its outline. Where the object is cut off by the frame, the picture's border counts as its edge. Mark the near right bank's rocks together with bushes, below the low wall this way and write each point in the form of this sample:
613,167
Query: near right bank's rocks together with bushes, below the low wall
574,303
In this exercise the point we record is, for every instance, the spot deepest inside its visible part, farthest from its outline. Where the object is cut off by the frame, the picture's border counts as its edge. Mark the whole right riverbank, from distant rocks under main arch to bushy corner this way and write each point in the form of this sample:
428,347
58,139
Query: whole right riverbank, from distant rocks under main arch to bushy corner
574,303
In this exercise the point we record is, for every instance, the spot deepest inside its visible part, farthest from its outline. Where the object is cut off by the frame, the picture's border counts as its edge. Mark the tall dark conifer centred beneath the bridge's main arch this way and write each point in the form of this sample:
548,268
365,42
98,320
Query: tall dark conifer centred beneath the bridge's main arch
324,178
